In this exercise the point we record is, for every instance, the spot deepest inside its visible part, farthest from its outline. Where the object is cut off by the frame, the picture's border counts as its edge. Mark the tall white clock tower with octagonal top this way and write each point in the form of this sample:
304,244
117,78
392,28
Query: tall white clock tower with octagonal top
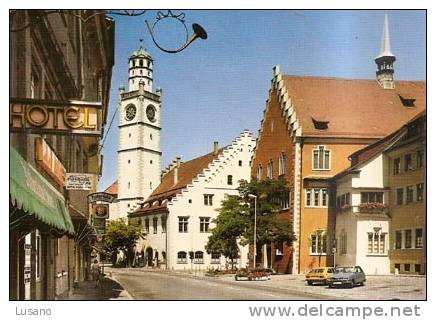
139,154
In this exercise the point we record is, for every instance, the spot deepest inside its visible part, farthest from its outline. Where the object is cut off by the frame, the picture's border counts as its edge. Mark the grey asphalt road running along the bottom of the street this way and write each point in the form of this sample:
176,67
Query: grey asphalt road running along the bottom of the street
152,285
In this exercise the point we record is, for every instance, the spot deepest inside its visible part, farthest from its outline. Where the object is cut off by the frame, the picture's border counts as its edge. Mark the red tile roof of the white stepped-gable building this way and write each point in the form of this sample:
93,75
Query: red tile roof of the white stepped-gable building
166,190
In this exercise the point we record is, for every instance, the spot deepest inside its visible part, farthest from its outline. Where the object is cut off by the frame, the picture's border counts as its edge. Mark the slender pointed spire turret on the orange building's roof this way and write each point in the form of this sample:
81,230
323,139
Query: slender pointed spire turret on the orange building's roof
385,60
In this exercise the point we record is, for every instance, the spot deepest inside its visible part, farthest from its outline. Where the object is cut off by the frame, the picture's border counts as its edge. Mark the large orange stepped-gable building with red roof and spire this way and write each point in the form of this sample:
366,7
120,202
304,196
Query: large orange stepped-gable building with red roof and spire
316,123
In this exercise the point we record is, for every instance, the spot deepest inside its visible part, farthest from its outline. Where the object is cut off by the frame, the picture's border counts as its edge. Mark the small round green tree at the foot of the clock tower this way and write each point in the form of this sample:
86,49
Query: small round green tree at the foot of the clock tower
121,236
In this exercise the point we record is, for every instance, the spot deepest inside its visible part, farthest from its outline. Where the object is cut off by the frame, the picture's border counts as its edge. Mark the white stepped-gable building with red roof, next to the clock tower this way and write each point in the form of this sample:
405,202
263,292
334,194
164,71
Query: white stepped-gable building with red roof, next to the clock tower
178,216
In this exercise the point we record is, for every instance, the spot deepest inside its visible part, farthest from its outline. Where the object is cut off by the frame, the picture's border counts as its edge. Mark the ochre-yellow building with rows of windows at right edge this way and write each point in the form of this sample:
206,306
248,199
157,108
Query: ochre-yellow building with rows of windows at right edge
406,172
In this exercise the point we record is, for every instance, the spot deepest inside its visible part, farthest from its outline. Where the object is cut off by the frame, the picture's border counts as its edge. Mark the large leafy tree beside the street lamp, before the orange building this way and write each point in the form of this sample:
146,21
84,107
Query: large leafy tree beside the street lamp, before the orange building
235,220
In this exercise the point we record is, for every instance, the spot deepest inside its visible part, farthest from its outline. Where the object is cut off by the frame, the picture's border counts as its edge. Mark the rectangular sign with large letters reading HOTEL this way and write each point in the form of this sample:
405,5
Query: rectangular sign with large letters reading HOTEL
62,117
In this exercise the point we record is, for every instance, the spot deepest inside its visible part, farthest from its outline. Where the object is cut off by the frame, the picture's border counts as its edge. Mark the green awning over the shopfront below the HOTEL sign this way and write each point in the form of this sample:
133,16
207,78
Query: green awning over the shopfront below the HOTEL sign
31,193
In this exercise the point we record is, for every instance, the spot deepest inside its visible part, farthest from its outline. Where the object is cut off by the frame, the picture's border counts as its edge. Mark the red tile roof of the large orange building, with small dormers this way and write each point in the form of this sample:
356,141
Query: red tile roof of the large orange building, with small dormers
353,108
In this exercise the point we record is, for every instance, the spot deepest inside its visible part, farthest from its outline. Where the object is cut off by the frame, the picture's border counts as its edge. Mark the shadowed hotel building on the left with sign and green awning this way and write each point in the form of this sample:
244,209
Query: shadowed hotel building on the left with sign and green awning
60,71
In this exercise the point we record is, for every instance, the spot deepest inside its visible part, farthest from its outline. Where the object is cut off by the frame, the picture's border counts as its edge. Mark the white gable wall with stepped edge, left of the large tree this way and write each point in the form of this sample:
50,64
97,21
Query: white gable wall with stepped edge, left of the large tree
213,180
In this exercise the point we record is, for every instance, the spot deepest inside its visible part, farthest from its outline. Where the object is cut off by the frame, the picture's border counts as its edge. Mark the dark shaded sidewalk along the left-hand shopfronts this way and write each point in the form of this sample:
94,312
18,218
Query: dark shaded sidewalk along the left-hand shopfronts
110,290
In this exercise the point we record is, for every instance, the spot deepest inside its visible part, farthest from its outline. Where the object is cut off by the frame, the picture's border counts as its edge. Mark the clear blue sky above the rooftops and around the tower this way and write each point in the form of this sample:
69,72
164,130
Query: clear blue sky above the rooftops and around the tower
216,88
